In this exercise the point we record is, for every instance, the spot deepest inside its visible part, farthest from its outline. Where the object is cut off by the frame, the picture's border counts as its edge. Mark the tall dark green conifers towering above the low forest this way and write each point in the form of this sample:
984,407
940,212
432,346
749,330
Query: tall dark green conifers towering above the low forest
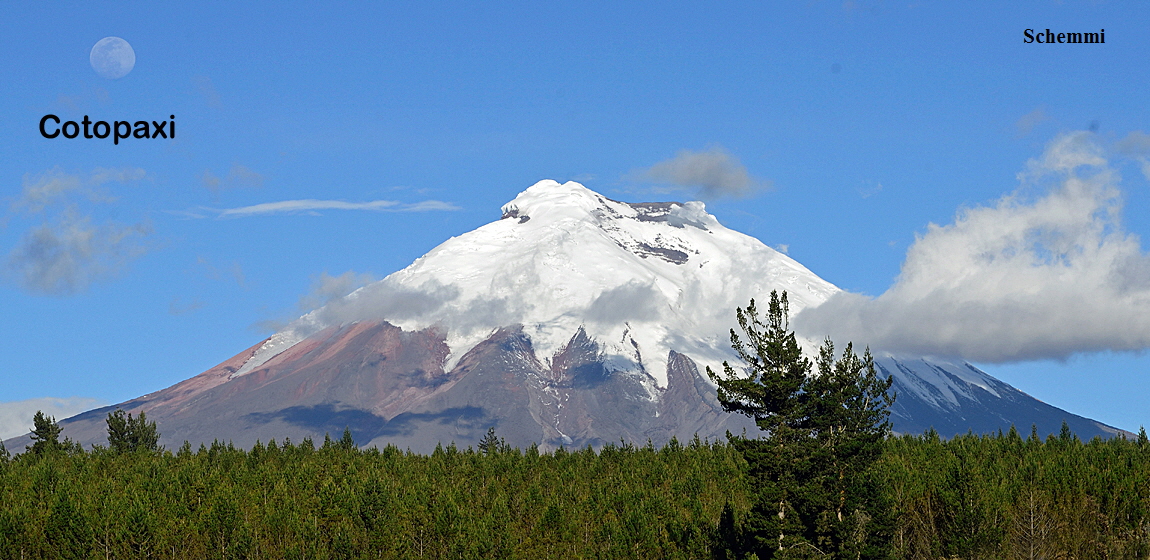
811,469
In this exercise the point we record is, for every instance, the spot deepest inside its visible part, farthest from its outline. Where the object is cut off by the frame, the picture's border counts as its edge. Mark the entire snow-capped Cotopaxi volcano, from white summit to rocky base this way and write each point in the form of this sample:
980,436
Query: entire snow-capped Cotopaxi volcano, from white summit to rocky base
574,320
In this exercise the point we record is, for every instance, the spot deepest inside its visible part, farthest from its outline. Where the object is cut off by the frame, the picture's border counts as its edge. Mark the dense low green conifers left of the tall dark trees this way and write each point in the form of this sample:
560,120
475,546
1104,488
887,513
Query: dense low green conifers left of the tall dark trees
334,501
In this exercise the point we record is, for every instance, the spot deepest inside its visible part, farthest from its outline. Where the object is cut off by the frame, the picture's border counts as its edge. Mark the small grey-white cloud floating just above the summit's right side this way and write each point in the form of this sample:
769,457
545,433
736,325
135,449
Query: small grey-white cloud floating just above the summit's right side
715,172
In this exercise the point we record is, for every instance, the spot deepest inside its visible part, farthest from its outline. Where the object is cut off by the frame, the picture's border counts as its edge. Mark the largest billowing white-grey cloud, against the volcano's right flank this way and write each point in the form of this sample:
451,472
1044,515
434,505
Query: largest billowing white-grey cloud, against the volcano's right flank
1025,279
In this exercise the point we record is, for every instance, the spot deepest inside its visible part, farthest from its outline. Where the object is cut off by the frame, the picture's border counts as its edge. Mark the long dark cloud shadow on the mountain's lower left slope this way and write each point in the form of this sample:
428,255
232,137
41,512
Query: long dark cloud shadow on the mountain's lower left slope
367,426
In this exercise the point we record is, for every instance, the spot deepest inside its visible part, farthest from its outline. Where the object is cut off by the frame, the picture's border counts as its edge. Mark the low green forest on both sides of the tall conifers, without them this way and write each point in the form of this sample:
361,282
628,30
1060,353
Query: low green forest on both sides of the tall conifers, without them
972,497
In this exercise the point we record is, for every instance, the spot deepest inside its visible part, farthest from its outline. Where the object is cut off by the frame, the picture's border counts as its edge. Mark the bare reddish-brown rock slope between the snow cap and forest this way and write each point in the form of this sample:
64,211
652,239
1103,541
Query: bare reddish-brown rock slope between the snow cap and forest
389,387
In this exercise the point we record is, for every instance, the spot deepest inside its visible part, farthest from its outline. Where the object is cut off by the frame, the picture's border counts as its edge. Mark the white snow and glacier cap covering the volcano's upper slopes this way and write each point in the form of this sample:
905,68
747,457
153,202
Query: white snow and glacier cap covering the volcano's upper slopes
641,280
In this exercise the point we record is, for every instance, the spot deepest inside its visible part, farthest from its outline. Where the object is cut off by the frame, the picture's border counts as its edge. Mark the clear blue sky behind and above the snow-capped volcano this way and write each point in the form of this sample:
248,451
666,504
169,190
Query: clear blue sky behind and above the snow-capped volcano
861,122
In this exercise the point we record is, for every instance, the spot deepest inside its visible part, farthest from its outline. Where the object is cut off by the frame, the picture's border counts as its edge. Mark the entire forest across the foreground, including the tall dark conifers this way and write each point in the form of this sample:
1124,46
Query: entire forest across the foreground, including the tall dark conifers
823,479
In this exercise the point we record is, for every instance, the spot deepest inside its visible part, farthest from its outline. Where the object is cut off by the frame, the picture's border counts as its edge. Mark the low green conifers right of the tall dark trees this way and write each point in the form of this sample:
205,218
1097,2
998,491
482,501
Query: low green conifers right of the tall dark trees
1007,497
